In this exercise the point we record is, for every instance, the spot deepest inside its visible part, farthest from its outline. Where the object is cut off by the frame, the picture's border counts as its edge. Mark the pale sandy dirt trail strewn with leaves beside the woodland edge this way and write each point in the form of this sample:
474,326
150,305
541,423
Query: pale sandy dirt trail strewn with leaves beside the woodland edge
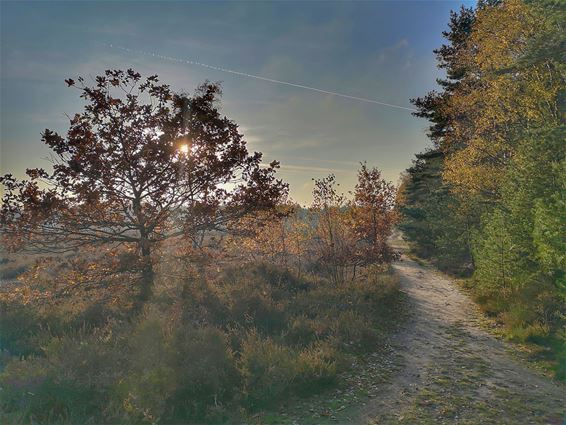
453,371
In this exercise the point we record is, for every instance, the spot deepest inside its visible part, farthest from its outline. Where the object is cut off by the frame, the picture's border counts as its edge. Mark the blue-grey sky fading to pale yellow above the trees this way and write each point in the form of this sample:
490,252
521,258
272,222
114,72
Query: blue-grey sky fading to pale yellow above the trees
376,50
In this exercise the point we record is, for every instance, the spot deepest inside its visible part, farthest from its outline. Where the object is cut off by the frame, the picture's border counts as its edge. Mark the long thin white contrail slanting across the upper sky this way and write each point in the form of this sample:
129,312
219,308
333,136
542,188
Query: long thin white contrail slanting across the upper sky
258,77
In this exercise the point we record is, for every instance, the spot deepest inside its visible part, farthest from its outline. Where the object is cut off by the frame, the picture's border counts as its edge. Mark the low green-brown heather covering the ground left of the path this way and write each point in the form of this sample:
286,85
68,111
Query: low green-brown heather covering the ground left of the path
227,344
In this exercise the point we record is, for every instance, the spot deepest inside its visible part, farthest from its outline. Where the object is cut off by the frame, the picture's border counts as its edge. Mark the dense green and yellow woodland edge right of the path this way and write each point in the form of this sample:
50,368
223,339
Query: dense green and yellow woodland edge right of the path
488,200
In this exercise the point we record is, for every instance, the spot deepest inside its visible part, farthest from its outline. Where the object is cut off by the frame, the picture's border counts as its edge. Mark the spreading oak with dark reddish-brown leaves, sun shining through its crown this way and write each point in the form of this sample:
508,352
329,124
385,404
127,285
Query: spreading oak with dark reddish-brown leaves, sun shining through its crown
139,165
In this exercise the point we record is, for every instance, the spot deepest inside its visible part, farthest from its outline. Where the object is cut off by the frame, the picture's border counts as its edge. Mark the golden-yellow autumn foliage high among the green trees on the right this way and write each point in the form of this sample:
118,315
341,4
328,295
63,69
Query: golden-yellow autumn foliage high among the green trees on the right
499,99
